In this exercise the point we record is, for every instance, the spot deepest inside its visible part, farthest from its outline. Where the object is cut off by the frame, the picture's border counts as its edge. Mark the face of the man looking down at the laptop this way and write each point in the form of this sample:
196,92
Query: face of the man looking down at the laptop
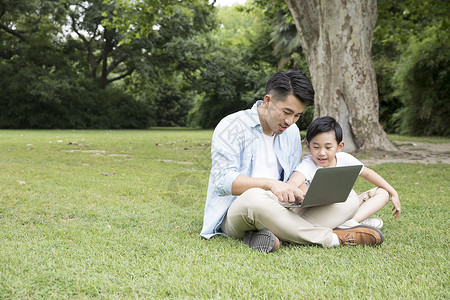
282,113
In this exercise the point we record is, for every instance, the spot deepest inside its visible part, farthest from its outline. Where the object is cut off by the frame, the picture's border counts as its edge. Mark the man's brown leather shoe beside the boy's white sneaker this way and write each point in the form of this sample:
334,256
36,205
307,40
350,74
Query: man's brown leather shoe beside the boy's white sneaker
360,235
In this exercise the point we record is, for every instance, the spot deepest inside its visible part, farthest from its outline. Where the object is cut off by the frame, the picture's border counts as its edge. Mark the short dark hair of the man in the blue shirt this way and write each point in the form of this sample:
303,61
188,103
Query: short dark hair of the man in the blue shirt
284,83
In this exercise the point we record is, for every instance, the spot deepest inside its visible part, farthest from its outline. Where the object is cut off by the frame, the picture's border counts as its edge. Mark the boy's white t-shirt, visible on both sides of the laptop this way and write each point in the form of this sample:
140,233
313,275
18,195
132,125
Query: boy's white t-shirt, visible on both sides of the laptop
308,167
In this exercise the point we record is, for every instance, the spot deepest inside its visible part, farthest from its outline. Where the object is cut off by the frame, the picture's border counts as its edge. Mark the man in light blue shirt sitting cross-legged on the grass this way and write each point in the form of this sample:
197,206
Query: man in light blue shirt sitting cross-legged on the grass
253,154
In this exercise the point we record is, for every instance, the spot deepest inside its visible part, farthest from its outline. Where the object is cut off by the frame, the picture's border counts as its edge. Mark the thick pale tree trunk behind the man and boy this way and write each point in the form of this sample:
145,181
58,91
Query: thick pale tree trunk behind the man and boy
336,36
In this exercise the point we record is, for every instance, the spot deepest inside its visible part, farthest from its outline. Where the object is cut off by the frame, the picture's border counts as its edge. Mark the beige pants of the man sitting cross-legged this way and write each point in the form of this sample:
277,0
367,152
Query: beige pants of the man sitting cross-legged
257,209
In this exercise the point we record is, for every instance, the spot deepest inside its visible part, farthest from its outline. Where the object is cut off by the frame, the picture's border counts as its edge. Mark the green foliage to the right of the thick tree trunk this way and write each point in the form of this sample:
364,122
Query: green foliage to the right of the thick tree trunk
400,25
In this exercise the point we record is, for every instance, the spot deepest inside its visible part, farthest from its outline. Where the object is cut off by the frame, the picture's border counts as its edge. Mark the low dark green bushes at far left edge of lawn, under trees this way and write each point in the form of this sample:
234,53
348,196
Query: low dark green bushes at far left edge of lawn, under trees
42,101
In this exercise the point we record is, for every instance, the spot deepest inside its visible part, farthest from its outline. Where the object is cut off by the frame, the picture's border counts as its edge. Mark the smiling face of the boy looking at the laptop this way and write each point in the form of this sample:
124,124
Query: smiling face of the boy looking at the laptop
323,148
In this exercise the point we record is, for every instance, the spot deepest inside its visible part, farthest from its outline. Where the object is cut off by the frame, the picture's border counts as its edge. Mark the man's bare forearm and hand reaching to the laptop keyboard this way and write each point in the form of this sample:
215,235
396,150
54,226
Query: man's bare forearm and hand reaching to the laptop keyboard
284,192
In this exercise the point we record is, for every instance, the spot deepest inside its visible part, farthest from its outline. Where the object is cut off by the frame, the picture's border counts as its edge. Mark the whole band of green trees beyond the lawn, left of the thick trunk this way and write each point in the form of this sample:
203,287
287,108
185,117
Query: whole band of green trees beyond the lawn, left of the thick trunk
78,58
